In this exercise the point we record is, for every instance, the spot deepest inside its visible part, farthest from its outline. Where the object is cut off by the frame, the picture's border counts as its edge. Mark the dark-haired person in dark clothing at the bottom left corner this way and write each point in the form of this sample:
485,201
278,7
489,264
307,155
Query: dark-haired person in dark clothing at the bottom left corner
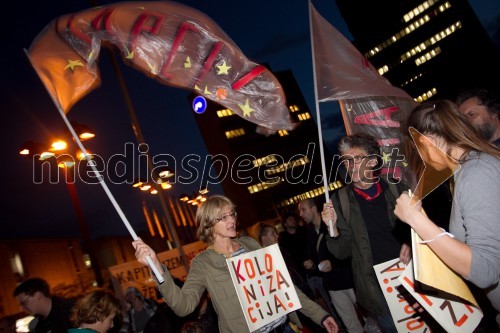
52,314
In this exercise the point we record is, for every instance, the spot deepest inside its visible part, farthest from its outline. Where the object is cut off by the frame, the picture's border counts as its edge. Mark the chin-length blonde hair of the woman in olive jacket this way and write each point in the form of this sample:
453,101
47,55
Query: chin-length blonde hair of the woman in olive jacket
207,215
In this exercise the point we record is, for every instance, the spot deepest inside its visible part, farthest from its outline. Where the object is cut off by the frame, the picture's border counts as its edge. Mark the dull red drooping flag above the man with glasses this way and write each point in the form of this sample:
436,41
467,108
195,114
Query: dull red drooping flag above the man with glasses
369,103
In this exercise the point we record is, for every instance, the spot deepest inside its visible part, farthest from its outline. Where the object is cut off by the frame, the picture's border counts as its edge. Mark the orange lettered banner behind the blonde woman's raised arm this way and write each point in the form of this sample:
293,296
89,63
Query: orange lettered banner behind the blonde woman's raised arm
135,274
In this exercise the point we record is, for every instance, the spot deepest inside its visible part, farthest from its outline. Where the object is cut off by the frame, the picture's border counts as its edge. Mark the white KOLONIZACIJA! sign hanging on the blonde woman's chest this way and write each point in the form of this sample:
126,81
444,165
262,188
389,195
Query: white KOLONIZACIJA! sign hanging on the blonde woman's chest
264,287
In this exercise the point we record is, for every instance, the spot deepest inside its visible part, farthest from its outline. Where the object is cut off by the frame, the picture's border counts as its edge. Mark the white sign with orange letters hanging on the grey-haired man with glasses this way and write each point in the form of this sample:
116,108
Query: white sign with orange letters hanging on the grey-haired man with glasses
405,317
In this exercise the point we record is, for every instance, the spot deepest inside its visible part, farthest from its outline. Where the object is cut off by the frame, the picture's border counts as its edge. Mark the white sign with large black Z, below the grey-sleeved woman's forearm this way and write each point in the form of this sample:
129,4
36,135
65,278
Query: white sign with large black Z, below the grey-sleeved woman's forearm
452,313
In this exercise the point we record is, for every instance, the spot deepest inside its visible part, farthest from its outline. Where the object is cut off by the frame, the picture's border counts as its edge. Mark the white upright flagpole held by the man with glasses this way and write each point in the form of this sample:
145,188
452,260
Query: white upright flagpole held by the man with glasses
318,118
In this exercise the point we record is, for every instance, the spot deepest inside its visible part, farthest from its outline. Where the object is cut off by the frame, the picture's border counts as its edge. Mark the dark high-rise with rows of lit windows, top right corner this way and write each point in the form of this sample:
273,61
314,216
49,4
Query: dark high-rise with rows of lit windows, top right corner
429,48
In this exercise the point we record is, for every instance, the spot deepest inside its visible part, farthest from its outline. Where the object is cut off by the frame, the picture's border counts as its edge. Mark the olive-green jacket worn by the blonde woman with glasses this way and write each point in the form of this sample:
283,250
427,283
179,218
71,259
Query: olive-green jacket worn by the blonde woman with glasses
209,271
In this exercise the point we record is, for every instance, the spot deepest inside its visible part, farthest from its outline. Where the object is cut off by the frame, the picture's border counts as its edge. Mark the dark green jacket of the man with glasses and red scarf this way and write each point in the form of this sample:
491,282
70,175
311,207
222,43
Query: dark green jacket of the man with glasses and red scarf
353,242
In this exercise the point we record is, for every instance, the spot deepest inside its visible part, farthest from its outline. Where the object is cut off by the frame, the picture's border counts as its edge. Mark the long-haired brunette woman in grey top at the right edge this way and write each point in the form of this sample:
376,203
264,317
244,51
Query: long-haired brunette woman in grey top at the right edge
472,248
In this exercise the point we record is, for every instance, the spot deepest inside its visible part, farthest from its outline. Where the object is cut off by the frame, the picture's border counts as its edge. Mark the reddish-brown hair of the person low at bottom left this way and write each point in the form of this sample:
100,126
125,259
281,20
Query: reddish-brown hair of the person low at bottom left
95,306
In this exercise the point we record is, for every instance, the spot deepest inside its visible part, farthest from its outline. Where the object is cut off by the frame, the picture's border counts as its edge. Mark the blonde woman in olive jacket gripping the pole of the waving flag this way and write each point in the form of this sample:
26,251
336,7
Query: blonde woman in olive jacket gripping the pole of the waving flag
216,219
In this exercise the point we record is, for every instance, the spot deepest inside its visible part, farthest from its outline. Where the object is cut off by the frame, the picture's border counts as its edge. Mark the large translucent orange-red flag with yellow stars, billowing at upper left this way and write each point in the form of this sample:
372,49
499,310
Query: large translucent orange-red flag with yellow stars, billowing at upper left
172,43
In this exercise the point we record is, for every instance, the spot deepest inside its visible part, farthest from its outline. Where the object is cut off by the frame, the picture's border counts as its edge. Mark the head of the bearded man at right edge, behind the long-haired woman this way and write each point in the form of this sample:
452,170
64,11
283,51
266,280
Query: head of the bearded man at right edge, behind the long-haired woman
482,109
